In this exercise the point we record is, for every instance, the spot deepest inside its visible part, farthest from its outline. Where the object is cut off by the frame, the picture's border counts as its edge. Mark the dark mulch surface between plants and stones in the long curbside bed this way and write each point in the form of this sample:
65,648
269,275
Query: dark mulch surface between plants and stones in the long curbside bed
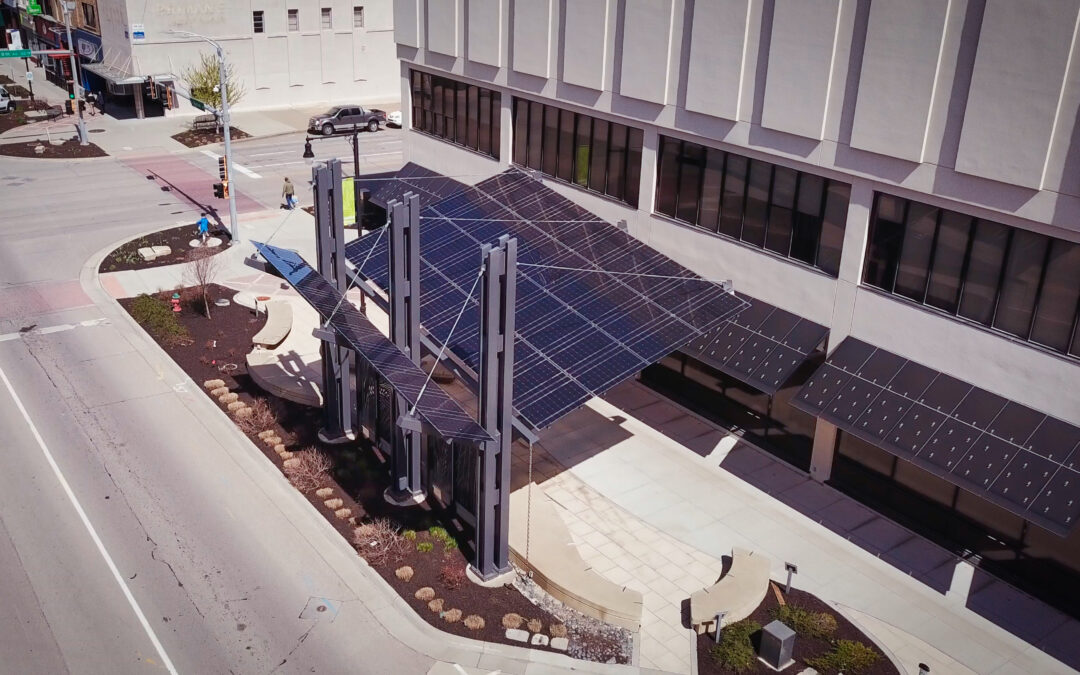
361,475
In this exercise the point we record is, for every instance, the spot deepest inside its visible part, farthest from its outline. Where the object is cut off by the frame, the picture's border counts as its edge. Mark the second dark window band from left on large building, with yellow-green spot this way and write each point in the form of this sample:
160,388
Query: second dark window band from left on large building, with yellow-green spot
592,154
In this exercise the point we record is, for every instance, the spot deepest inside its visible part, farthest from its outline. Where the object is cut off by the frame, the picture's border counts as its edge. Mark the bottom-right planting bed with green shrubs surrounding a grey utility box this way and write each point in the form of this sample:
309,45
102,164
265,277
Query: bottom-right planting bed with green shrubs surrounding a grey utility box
825,641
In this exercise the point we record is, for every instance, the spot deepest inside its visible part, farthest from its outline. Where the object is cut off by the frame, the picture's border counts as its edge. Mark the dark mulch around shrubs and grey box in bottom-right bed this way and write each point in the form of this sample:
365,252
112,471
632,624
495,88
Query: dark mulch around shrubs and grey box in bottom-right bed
806,647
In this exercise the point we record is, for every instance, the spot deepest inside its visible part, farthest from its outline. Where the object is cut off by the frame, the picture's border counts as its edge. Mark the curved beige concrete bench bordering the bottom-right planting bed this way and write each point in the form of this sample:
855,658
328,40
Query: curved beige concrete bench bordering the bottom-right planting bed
738,593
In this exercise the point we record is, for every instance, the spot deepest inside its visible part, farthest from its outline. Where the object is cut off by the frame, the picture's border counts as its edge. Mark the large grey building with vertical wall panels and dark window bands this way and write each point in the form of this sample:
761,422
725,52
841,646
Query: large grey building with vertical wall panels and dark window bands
902,173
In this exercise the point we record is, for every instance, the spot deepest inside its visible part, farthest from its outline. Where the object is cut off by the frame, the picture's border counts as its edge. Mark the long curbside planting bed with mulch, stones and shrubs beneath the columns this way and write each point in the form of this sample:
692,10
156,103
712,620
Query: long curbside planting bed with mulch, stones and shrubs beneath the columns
418,550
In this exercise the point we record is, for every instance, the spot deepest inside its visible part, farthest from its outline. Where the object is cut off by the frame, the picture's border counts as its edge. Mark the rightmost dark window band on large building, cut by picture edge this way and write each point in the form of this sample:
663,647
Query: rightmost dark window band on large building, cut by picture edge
1011,280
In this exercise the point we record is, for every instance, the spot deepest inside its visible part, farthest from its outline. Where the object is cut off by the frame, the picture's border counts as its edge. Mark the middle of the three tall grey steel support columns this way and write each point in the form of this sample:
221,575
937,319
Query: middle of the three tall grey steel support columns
406,333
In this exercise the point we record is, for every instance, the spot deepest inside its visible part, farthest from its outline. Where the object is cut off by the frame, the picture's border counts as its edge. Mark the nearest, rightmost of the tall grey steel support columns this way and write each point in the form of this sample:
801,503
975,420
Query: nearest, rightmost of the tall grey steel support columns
498,298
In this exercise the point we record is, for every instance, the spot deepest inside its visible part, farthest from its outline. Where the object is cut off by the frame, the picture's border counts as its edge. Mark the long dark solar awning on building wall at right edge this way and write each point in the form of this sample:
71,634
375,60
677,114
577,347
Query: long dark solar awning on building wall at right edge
1009,454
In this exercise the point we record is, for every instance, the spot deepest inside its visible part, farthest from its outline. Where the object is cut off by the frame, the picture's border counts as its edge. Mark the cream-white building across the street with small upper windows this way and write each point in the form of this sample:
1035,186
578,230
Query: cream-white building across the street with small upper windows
285,53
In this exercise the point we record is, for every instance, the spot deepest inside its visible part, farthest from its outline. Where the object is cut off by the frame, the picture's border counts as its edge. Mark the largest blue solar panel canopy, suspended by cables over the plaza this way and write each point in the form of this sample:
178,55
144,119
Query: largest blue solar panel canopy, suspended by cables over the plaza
618,307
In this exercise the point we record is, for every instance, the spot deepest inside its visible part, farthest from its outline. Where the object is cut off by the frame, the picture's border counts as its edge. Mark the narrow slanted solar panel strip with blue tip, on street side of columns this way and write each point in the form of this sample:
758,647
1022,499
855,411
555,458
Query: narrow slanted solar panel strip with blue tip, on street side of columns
437,409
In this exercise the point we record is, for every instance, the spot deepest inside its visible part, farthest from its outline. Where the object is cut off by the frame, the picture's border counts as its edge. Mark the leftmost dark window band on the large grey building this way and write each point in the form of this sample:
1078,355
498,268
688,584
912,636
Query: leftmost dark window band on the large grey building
462,114
